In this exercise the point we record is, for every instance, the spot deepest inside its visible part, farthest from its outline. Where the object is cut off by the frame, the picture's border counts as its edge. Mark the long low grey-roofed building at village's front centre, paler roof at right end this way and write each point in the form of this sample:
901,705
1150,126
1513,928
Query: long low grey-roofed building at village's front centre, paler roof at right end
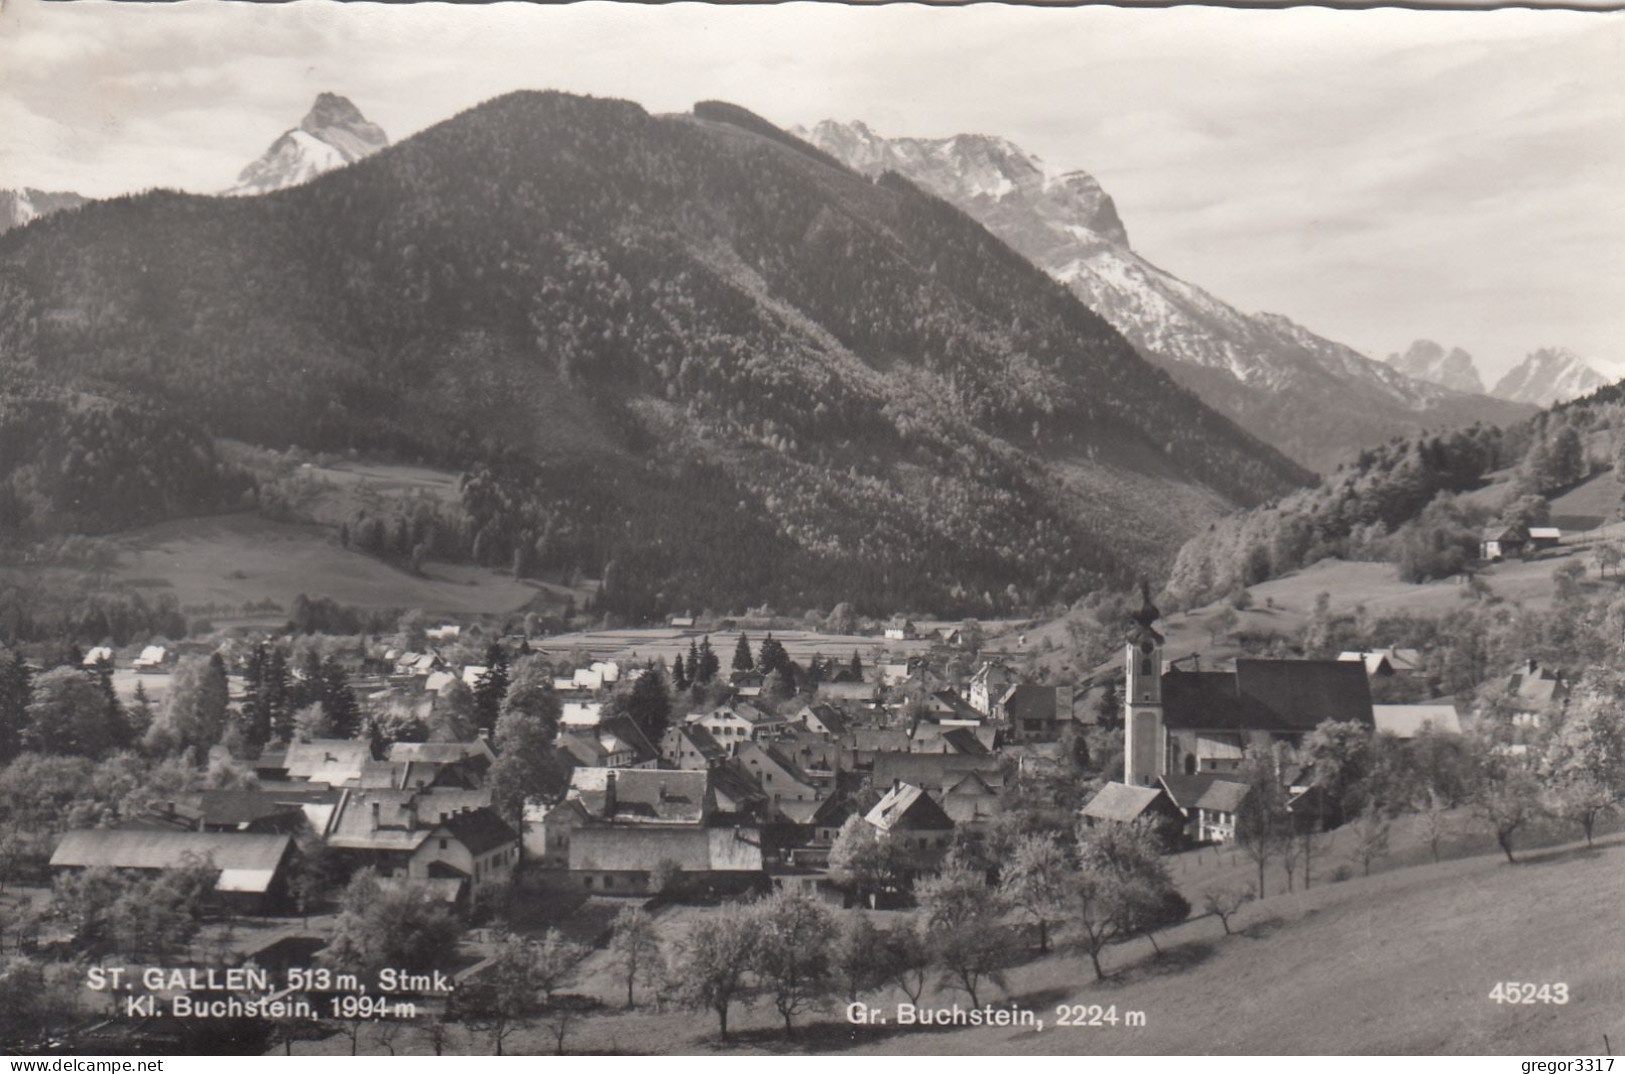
620,860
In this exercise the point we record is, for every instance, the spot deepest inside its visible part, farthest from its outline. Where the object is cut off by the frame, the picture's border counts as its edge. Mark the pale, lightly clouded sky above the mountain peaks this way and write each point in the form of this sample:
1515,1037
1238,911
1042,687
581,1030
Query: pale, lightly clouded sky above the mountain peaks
1377,176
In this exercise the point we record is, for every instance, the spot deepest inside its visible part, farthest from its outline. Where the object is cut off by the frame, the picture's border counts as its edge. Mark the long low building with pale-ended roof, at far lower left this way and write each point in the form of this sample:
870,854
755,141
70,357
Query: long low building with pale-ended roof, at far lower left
253,865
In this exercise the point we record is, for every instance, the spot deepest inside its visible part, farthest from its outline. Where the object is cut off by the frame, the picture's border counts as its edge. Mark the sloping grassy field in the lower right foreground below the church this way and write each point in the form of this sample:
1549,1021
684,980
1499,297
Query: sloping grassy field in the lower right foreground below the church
1400,963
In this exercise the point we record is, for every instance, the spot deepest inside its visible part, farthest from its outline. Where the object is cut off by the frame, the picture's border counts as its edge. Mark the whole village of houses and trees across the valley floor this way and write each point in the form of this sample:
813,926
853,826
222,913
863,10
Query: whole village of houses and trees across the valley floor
456,808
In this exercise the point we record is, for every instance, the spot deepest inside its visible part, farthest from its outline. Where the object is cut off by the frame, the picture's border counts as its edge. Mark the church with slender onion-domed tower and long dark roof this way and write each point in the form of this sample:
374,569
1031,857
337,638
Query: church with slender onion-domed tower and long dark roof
1184,722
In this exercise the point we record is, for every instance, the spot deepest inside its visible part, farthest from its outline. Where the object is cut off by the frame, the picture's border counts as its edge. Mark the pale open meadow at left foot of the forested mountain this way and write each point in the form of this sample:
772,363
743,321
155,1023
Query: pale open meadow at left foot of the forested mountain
230,561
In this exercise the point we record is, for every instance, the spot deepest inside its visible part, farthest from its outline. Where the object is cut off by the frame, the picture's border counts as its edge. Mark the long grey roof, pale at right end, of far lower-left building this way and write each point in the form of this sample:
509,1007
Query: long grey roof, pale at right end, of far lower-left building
253,860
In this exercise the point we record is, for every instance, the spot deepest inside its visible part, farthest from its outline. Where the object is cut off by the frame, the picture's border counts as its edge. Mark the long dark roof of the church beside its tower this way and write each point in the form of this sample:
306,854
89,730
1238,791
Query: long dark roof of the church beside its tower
1268,695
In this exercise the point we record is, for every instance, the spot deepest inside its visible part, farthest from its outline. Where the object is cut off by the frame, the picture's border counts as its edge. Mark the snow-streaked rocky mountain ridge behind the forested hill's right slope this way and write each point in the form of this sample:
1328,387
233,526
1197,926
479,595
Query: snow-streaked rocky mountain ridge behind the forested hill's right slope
1311,397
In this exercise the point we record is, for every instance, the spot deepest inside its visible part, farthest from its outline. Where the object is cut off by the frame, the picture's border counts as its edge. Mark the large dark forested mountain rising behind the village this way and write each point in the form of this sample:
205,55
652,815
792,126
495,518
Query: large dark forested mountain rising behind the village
683,352
